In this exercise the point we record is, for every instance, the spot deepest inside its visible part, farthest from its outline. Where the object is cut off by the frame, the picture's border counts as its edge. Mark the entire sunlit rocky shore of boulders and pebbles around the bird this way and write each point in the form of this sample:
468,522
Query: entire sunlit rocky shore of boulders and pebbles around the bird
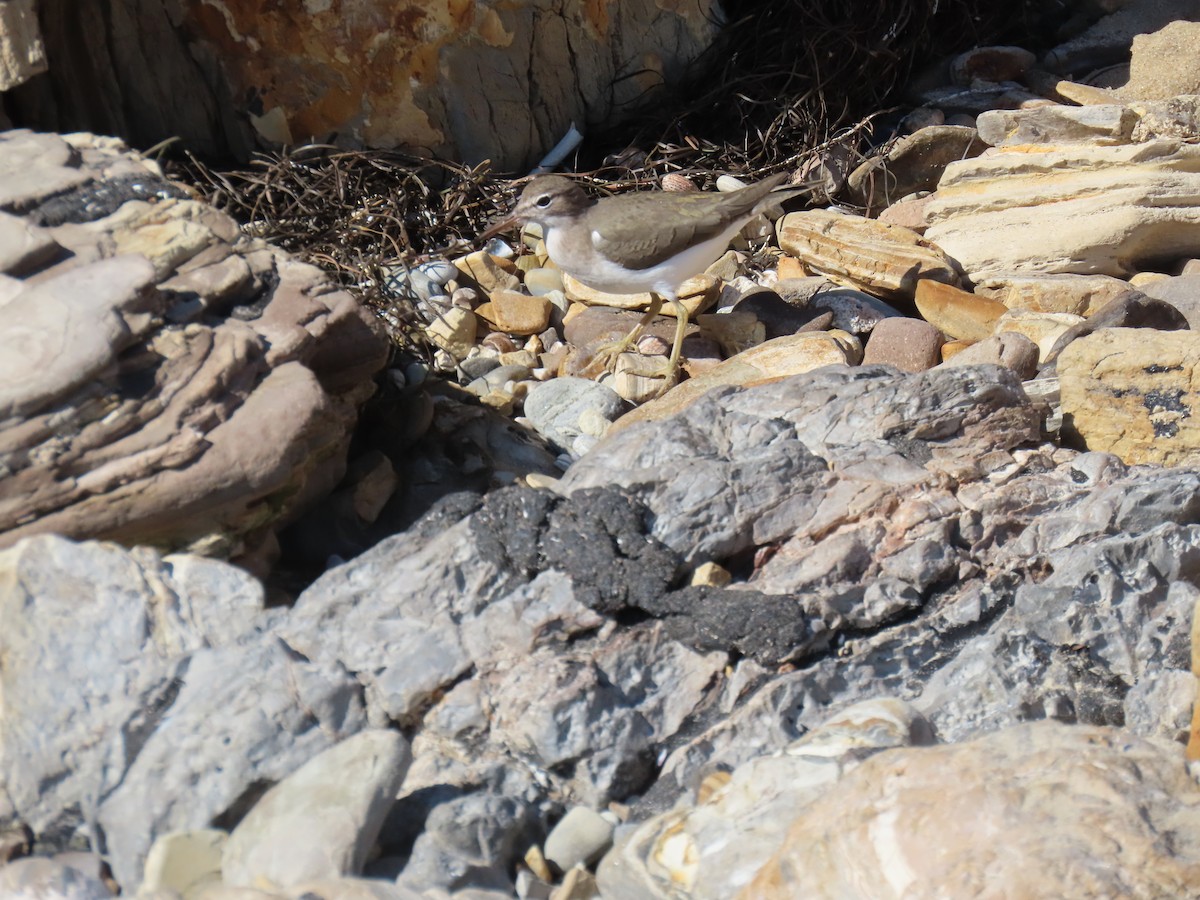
893,597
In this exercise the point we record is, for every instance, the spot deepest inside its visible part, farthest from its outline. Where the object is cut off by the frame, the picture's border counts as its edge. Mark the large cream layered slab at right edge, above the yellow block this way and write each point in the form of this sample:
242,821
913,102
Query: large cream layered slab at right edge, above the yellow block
1073,208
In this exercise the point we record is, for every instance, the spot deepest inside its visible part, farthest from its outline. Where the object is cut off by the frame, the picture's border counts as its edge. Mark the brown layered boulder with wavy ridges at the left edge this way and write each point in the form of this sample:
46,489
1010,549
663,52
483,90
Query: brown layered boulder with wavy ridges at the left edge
165,380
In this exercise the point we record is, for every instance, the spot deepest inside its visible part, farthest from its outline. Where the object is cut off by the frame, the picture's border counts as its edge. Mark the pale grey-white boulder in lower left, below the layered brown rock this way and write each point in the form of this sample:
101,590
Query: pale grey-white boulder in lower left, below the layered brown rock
145,697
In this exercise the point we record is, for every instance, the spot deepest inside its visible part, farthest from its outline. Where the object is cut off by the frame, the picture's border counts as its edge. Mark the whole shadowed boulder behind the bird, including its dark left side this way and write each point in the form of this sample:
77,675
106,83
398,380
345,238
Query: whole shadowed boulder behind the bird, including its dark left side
368,73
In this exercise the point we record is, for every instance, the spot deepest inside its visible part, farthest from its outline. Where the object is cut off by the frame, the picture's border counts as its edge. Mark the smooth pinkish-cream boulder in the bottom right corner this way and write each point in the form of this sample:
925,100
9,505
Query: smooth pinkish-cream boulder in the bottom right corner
962,821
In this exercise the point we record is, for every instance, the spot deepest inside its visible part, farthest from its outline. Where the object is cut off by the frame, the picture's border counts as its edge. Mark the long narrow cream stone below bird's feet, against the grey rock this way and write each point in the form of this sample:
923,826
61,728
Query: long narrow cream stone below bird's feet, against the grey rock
766,363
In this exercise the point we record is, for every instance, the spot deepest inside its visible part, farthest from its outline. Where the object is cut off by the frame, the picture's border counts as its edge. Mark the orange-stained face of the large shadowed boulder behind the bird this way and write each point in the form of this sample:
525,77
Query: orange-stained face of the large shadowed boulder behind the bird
409,73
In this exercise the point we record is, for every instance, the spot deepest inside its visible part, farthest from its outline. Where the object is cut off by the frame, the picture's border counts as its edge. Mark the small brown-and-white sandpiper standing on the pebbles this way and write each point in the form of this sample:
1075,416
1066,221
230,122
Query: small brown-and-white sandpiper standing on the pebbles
638,243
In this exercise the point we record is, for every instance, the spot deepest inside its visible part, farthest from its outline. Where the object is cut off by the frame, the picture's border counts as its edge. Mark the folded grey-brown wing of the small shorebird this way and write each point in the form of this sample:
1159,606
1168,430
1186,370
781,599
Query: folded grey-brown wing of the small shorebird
653,227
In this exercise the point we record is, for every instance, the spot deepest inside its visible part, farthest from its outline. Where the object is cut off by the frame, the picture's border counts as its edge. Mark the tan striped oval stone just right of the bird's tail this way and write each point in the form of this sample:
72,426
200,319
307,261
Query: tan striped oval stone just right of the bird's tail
880,259
